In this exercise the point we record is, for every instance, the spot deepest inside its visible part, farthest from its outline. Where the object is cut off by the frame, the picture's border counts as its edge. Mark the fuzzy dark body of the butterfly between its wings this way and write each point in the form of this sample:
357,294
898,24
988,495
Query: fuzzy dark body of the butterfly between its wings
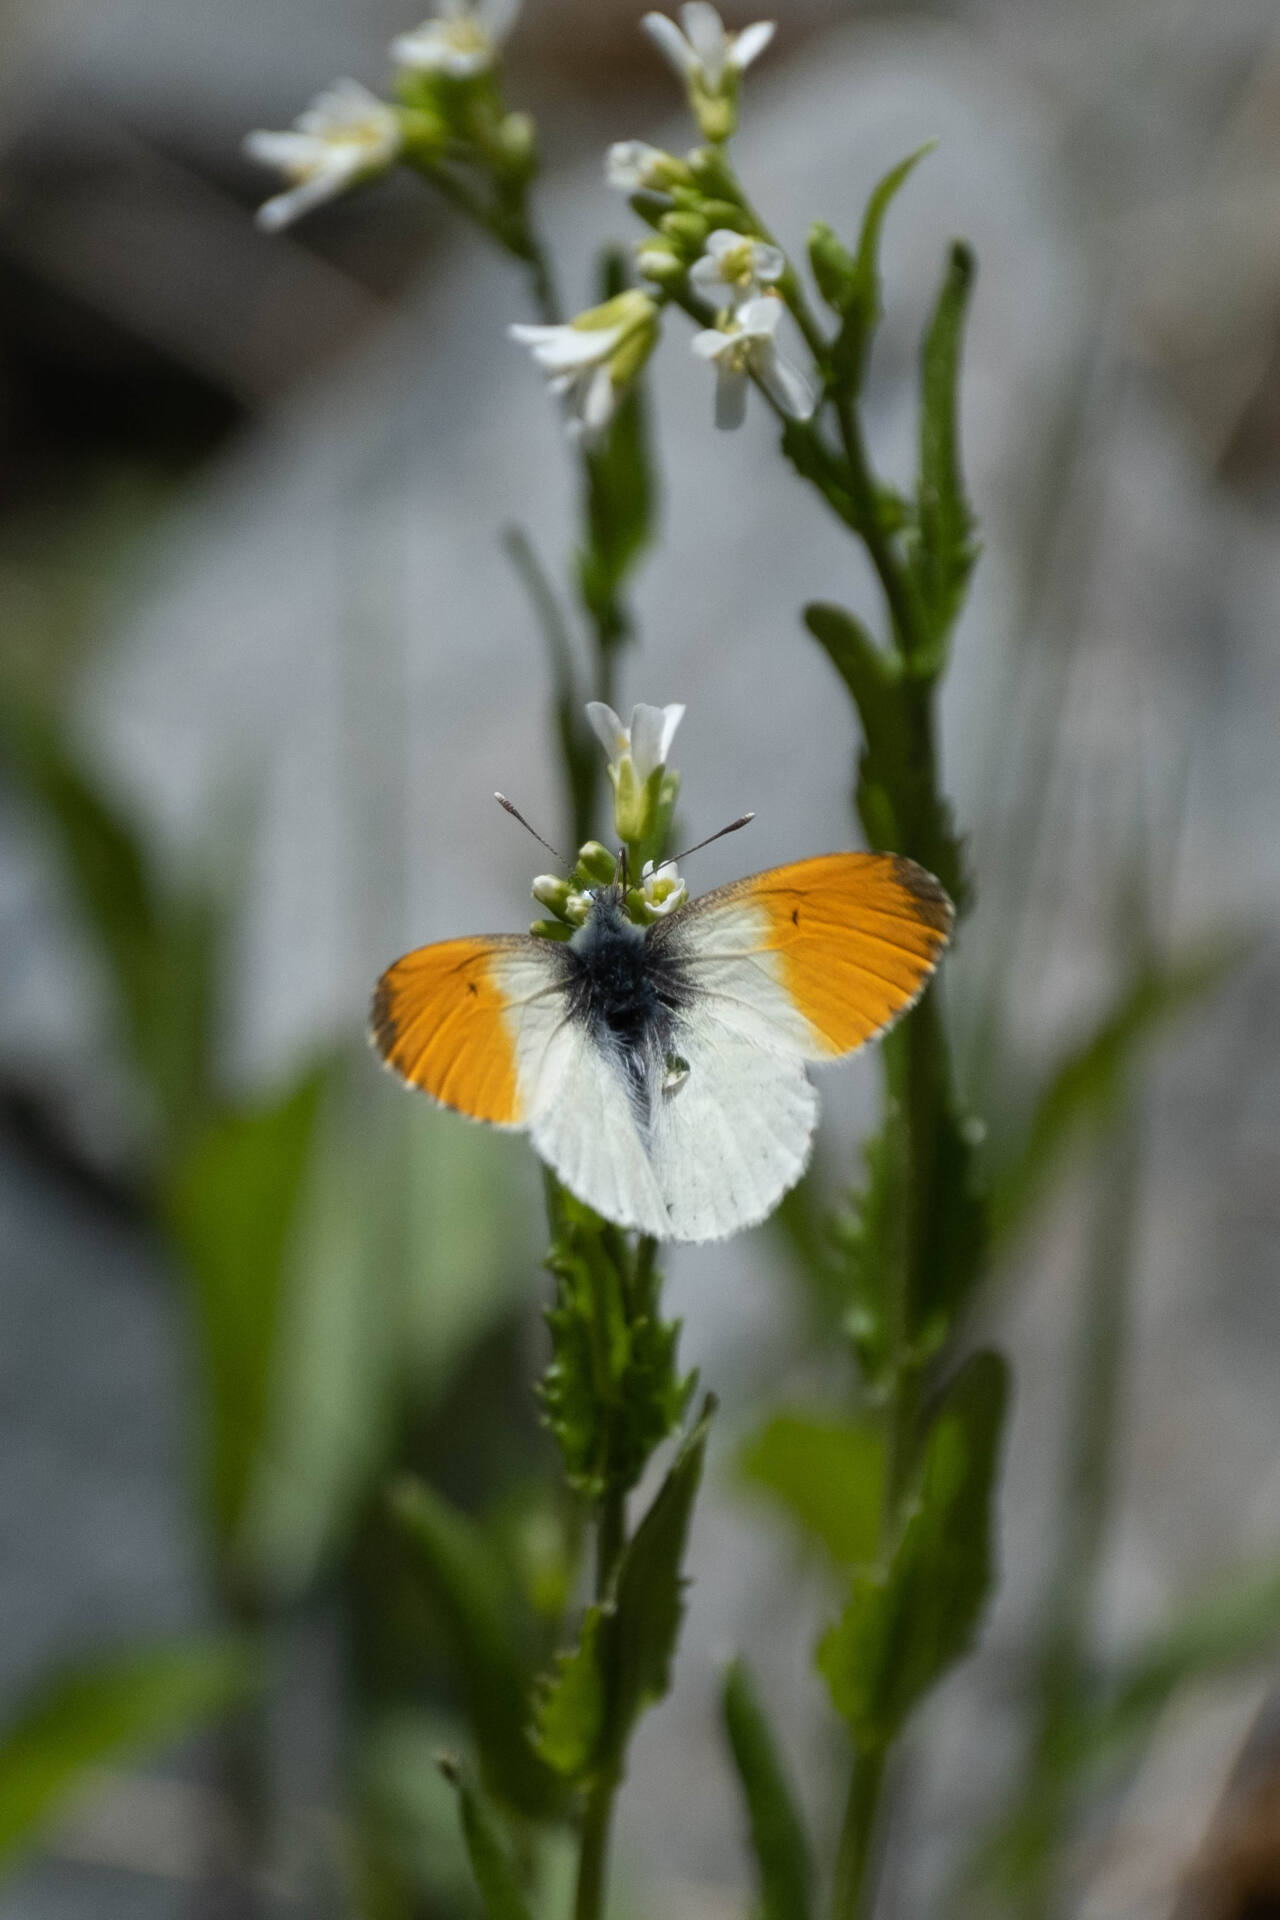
628,990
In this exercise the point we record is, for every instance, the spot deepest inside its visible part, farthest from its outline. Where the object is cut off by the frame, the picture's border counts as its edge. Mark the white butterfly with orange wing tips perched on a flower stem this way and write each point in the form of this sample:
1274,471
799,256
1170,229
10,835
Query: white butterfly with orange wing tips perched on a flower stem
661,1070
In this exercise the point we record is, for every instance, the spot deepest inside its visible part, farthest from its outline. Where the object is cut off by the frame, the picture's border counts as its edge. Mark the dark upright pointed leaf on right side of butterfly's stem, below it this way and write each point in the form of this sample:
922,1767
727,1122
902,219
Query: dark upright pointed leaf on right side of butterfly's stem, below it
650,1595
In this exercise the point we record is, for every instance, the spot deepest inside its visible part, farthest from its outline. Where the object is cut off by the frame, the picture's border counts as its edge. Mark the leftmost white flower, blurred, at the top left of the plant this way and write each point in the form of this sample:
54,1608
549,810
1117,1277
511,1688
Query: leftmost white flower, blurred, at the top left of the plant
346,135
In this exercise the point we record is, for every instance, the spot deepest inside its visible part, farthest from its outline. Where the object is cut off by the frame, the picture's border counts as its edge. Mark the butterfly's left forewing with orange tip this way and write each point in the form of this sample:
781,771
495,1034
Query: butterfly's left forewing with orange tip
469,1022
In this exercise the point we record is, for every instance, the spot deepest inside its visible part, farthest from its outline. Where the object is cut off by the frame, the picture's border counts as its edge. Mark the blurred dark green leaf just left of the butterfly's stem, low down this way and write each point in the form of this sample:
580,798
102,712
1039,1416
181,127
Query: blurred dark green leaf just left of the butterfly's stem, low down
481,1612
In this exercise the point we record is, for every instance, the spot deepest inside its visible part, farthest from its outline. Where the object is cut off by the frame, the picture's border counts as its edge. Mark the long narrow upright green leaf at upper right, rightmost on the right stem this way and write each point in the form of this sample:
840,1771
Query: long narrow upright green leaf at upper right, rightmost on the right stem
945,550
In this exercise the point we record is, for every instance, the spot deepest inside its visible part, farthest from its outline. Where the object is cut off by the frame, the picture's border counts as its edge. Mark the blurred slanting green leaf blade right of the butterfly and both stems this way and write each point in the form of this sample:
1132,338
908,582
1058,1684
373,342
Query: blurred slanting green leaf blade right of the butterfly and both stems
1083,1088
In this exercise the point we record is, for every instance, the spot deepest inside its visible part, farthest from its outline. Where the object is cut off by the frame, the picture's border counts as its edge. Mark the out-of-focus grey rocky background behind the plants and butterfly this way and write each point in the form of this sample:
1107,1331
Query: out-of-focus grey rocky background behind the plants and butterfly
254,492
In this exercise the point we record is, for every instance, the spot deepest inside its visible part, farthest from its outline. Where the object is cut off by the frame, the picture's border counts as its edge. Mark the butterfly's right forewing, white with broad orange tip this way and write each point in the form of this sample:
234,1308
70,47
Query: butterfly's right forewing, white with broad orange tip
817,959
